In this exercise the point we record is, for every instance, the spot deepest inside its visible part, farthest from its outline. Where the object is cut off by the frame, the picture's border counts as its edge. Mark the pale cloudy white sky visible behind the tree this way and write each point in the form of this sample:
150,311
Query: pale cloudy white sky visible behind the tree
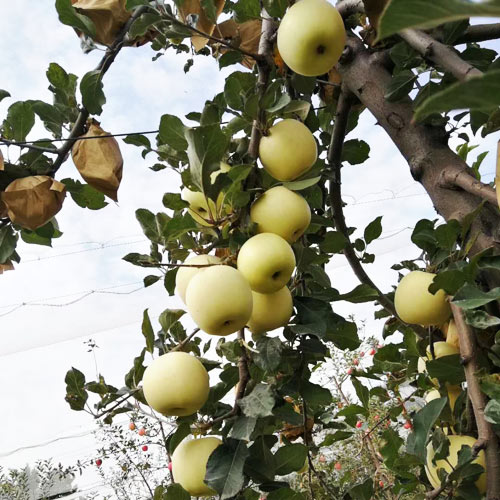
41,342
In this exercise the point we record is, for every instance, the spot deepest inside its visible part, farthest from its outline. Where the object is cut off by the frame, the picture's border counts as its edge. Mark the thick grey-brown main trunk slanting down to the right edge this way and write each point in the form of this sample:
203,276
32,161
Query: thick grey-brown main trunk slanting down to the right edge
423,146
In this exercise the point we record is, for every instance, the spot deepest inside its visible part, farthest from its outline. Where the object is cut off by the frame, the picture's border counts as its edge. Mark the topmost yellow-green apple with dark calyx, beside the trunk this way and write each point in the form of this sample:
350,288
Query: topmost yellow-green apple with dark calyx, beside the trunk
311,37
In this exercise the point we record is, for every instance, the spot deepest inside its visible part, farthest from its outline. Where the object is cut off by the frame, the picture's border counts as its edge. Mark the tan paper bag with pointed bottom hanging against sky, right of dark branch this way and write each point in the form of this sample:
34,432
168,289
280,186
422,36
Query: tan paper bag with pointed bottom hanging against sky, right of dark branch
99,161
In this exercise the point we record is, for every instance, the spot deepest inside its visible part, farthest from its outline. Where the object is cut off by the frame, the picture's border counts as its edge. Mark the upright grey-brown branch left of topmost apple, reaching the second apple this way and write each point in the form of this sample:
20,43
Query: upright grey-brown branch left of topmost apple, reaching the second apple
264,65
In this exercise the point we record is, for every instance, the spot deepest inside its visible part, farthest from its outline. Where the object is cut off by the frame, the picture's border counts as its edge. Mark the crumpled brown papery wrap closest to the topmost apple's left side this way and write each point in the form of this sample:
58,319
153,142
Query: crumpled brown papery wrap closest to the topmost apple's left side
245,36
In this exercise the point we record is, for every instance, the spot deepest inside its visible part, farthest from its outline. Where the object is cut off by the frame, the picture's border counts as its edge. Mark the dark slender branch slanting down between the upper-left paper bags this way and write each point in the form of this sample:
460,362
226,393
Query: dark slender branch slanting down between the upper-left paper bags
103,66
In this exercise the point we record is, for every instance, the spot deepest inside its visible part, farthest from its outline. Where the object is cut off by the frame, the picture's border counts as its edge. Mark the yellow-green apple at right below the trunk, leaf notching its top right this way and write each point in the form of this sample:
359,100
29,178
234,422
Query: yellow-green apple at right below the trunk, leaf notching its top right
416,305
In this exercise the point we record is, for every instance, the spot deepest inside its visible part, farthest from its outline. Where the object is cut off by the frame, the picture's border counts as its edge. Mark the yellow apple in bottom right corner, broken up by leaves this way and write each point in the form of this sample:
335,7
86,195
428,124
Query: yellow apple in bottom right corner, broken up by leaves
456,443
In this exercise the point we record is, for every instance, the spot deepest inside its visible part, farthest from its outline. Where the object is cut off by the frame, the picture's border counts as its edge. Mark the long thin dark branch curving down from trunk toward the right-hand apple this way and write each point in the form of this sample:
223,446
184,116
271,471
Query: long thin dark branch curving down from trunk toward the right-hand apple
334,160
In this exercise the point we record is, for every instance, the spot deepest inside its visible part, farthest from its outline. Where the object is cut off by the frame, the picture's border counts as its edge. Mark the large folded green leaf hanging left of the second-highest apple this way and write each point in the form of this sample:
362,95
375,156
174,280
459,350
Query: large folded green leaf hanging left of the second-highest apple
206,147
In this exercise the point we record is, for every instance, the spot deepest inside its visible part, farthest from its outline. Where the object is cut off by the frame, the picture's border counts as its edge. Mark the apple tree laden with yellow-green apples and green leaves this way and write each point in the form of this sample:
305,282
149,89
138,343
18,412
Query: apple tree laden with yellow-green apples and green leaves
419,68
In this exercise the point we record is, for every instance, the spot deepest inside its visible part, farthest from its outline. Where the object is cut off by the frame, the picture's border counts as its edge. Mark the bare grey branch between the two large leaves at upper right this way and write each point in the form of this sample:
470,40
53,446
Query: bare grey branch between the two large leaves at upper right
439,53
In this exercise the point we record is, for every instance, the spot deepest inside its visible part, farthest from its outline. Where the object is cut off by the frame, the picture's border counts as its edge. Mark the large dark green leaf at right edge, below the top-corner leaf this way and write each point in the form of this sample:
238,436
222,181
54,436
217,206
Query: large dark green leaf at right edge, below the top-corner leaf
481,93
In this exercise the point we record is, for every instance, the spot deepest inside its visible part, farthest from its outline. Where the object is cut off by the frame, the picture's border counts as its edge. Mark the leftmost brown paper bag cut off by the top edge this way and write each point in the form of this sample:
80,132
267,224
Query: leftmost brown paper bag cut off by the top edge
109,16
